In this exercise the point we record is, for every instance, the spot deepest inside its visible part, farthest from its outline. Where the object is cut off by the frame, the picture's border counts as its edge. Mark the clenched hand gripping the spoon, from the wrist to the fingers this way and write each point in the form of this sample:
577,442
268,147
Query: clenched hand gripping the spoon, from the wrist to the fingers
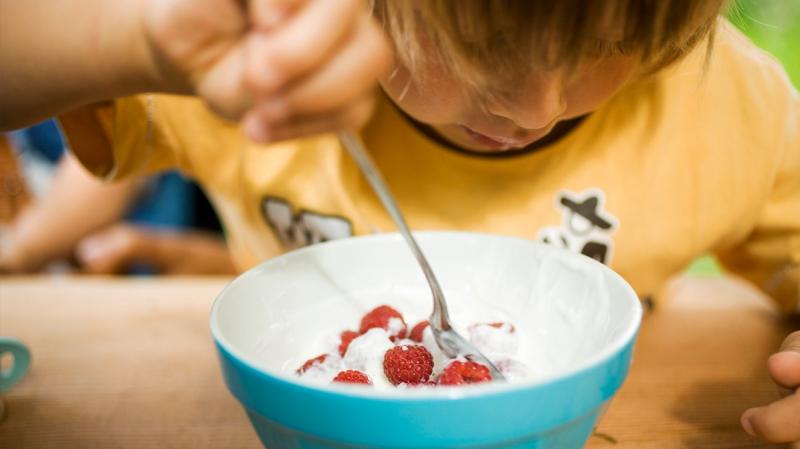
287,68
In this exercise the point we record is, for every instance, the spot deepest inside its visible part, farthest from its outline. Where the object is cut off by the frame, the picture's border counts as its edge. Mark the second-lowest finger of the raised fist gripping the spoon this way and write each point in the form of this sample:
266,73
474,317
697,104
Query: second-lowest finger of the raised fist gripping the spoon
351,74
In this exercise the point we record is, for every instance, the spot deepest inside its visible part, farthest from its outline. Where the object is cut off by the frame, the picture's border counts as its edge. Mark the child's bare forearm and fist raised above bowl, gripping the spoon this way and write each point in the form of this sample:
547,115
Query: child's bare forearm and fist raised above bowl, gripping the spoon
293,67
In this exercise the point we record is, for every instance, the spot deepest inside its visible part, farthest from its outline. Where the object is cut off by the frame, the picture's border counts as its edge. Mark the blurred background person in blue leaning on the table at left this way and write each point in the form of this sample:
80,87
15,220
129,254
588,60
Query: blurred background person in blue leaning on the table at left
55,216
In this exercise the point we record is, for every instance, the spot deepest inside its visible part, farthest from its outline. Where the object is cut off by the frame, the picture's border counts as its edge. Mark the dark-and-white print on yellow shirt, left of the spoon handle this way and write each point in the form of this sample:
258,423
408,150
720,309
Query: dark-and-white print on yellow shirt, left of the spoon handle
303,228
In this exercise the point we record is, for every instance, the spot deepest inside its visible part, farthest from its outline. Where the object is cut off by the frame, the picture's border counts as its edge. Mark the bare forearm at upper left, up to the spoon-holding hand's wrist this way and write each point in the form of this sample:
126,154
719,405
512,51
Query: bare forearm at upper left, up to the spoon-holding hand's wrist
55,56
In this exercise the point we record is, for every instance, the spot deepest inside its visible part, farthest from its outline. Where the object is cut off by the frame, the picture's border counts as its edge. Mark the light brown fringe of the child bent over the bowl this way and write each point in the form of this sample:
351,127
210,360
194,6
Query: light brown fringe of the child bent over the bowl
475,37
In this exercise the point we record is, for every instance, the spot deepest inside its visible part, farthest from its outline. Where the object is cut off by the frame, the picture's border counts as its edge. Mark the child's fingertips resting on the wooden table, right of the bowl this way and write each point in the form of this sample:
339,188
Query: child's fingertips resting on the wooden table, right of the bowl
779,422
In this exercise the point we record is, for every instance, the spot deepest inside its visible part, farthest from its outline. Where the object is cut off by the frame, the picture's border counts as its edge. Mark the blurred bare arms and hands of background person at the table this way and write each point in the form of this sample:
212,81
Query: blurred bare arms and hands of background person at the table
69,220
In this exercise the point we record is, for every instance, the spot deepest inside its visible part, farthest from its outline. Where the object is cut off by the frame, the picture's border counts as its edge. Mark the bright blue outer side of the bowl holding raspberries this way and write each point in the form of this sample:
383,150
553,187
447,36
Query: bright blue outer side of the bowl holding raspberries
557,414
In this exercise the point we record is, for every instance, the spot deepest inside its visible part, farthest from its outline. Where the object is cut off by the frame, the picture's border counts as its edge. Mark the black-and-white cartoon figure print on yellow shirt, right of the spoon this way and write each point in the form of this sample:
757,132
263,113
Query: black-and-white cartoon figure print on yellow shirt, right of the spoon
586,228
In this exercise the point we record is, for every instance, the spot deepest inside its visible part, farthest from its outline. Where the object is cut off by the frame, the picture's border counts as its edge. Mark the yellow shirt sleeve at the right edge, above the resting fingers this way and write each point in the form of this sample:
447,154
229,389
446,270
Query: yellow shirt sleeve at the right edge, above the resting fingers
770,255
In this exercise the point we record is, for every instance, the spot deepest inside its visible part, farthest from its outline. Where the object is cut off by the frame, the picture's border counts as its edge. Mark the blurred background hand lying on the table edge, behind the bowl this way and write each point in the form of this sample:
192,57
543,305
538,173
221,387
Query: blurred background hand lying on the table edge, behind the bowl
112,250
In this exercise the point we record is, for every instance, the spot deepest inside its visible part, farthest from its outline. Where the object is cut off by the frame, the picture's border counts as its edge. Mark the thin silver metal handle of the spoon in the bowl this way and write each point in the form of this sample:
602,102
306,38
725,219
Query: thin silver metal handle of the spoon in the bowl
440,318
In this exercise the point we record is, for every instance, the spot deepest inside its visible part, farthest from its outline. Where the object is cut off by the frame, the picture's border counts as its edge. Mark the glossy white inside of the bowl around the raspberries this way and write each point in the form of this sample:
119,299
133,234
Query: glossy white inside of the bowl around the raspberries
568,309
